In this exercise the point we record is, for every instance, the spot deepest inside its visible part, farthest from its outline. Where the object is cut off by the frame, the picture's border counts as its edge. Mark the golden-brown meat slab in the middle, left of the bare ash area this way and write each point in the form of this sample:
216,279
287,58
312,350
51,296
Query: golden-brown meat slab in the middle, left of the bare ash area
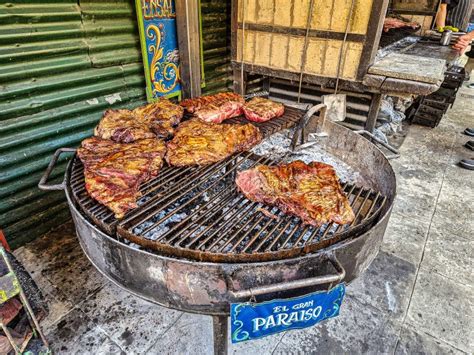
200,143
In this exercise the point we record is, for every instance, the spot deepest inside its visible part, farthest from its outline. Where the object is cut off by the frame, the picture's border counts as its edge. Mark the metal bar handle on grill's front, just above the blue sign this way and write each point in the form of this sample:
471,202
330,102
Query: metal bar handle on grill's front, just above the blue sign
292,285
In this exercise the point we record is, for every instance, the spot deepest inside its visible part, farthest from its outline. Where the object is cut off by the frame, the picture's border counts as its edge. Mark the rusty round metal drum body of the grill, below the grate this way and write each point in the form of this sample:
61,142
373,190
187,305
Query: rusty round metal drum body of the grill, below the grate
205,287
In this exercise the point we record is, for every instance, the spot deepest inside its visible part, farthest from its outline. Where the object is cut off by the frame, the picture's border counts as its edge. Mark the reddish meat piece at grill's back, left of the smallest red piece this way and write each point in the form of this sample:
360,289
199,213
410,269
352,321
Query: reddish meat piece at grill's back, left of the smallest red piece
215,108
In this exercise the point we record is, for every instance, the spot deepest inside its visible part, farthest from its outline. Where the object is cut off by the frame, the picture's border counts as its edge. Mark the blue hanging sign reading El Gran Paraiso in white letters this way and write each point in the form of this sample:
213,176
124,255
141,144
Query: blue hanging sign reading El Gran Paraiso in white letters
256,320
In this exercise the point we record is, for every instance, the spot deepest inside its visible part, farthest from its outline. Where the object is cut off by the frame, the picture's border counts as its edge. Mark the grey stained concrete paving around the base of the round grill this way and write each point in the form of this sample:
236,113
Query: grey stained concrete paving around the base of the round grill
417,296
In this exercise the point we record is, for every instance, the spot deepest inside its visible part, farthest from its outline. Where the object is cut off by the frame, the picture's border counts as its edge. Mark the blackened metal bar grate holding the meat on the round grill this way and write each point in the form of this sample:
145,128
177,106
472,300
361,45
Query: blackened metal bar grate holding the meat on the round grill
197,212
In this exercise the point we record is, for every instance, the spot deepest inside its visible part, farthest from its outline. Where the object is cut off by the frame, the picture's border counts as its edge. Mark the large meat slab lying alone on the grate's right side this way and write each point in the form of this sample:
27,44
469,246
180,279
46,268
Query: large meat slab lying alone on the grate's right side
309,191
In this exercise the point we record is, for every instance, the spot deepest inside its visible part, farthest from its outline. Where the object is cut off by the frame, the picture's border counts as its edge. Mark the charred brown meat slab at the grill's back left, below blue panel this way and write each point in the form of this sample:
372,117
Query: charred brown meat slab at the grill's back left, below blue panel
153,120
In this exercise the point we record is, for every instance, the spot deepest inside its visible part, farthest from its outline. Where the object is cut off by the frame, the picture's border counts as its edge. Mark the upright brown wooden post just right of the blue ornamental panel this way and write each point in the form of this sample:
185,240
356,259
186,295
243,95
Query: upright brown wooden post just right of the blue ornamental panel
187,21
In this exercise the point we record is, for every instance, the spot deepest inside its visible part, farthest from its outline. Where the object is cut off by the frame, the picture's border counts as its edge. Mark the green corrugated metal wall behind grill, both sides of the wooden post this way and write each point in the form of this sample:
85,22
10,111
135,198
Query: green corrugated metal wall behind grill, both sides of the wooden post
62,63
